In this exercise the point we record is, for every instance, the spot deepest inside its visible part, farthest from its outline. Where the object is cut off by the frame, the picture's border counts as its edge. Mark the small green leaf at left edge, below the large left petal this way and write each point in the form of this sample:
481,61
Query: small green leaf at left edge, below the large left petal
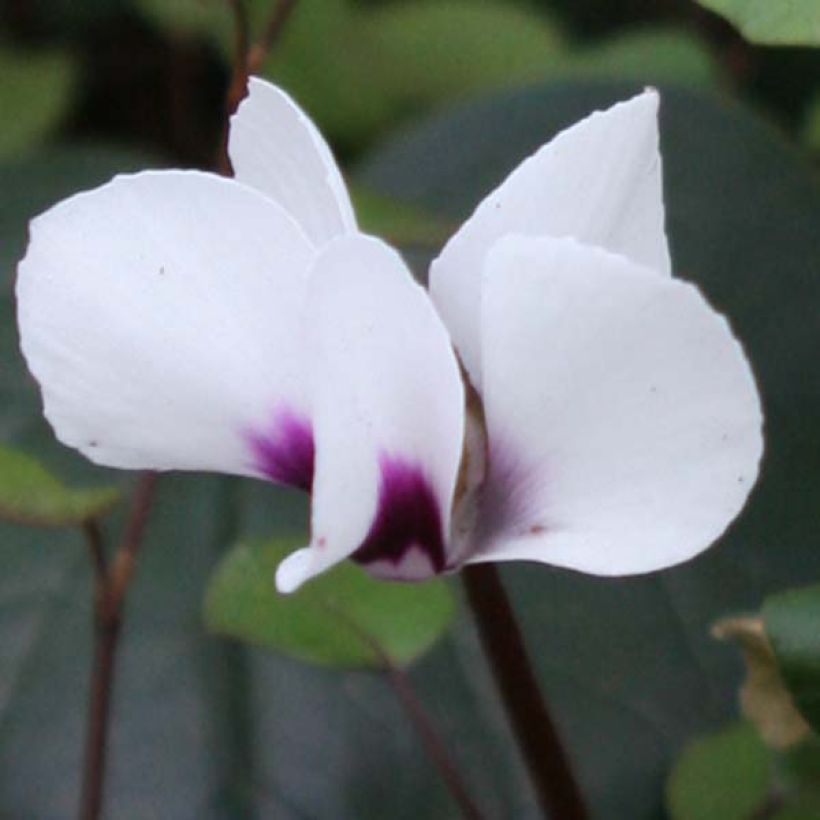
29,494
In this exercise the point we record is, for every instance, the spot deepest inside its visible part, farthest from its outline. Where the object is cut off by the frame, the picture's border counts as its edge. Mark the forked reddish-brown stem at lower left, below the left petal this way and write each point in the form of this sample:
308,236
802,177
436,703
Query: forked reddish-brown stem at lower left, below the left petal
110,587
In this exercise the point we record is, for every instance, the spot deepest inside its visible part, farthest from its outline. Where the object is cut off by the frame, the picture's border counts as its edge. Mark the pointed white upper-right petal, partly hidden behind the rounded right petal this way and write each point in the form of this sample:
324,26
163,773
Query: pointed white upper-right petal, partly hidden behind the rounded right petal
598,181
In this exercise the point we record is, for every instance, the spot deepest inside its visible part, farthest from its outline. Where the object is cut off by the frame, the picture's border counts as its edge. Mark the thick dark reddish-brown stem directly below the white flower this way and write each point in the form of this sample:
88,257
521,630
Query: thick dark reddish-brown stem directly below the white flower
548,764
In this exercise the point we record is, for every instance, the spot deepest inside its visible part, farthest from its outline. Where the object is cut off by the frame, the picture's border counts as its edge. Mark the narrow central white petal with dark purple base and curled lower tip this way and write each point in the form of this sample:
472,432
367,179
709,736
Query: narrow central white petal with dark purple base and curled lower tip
388,412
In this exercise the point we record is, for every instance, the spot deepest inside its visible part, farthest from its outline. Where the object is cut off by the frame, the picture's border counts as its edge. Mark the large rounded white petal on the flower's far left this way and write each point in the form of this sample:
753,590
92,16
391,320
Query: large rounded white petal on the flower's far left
158,313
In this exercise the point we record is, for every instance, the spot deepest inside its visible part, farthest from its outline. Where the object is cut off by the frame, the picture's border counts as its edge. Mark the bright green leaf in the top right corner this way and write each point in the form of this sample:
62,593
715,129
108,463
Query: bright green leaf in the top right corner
772,22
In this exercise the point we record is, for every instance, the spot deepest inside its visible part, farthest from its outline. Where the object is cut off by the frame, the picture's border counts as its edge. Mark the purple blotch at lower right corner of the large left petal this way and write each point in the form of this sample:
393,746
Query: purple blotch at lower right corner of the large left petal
285,452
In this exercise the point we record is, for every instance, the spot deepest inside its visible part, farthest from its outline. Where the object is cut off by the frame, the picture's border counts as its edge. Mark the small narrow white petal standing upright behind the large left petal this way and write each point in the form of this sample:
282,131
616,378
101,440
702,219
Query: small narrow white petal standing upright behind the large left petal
275,148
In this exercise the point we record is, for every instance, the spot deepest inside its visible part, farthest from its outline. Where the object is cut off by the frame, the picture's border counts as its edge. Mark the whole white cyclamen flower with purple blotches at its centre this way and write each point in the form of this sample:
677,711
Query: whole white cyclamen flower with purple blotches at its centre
605,419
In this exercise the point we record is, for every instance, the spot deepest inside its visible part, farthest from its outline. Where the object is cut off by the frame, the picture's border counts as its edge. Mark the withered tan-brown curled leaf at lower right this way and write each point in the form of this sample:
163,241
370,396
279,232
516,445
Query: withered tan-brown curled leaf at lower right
764,697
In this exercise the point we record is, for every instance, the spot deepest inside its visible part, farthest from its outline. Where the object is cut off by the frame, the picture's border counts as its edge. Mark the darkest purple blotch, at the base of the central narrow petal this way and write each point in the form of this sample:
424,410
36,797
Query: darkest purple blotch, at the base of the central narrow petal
408,519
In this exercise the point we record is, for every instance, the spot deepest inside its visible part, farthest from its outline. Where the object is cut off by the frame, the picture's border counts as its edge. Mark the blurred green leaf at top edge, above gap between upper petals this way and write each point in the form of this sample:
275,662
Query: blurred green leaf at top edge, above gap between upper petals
434,50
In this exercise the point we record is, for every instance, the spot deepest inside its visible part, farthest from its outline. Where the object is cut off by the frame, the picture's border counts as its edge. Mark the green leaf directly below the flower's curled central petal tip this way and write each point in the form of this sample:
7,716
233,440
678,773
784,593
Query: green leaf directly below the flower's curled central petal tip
343,618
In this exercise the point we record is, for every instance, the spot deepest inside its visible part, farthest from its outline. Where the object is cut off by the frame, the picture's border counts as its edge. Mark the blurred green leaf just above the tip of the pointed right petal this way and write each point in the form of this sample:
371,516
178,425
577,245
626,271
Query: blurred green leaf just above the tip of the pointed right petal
646,55
